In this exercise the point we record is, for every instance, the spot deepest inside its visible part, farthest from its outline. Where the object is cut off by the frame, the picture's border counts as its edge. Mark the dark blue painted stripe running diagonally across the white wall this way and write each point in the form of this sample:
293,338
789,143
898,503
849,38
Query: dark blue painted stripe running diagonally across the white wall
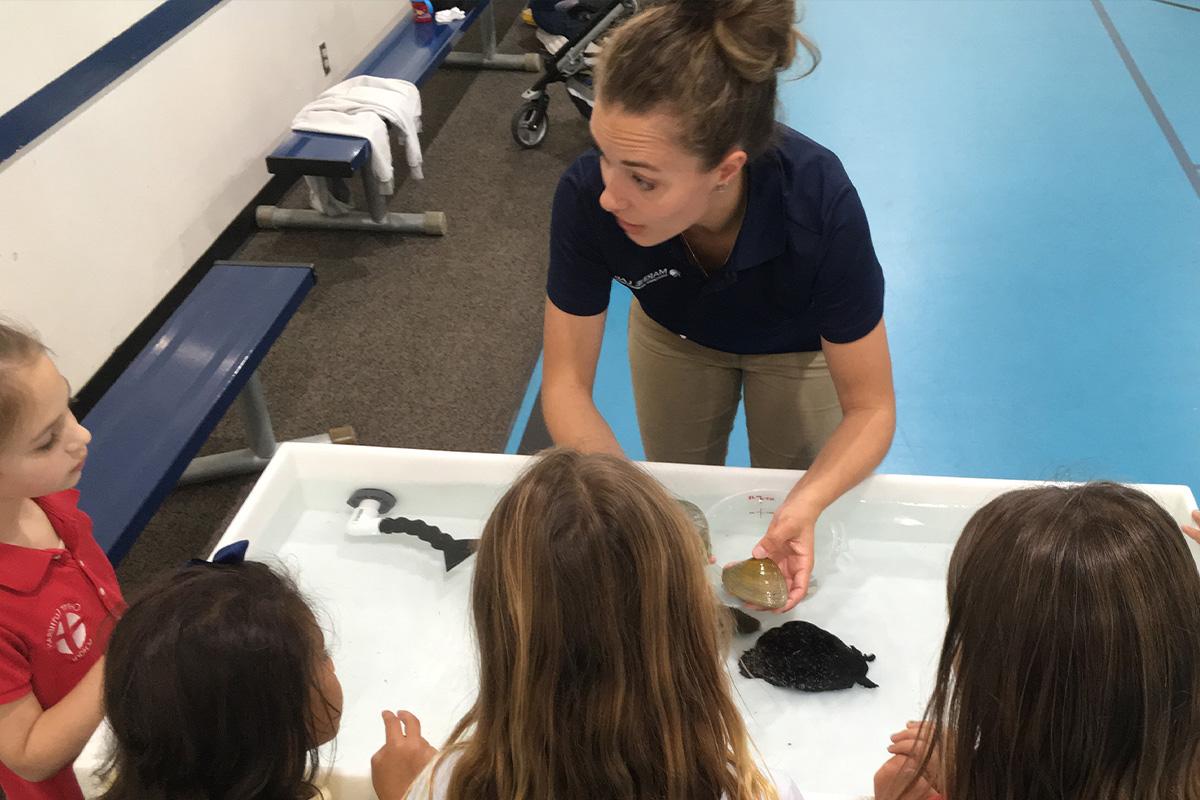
58,99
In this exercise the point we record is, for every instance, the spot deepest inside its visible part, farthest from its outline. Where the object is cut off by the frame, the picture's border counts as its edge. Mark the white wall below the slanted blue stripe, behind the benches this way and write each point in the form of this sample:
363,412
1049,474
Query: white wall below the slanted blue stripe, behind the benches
101,216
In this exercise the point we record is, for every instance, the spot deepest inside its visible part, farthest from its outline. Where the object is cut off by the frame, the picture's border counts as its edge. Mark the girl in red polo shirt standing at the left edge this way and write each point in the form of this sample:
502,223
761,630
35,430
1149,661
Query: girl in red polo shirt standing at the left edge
58,592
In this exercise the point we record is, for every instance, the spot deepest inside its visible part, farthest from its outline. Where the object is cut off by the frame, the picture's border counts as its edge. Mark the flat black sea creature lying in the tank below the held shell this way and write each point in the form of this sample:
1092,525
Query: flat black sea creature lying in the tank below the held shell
801,655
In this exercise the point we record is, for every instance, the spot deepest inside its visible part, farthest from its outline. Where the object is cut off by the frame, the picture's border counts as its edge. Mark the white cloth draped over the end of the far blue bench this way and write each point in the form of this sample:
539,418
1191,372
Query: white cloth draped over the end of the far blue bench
364,107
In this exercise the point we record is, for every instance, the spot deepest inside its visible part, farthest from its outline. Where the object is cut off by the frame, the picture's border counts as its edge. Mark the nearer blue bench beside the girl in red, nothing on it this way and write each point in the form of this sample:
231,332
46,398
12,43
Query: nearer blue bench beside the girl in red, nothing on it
157,417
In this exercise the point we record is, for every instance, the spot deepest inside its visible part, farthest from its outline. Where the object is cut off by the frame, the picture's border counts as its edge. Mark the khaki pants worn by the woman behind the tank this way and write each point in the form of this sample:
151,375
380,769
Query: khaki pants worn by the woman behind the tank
688,395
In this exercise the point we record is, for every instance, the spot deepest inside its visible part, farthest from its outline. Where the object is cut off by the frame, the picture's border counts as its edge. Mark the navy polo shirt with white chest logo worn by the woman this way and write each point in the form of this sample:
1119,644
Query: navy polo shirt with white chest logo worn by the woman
803,267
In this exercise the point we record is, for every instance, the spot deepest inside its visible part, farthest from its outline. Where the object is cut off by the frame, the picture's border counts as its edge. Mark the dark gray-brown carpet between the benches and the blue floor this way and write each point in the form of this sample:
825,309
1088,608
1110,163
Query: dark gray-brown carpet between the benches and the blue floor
417,342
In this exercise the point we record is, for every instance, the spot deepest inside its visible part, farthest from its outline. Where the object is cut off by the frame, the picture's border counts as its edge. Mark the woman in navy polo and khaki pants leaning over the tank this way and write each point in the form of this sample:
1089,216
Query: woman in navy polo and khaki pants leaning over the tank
749,256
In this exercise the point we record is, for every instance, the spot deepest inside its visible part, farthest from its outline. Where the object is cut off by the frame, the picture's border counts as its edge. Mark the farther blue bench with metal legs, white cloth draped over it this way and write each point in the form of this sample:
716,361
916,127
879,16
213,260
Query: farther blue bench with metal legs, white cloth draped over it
412,52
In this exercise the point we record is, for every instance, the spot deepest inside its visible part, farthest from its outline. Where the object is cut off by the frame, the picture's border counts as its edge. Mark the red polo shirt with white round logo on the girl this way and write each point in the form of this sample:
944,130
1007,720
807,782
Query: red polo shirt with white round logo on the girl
57,610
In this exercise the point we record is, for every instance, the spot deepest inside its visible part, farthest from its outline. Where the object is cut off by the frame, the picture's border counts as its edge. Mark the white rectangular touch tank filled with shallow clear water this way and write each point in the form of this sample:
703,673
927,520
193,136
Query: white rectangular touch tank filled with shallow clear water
399,624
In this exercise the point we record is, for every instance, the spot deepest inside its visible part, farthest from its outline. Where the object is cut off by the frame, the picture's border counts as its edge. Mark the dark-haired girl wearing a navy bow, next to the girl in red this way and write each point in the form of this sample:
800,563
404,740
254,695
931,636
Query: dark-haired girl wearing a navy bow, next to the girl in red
219,687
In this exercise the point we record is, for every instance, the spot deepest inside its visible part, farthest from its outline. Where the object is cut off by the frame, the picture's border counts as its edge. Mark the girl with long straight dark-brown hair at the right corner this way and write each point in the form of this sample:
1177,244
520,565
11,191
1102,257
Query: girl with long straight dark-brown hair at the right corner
1071,669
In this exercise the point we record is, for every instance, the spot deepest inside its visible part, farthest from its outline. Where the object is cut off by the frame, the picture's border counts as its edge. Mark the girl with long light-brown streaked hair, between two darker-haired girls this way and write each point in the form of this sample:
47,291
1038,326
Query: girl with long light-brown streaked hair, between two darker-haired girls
602,655
